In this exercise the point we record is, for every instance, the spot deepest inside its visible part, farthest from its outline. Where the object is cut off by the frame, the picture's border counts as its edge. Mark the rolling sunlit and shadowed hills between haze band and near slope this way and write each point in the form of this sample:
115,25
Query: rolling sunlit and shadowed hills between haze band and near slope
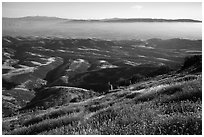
32,63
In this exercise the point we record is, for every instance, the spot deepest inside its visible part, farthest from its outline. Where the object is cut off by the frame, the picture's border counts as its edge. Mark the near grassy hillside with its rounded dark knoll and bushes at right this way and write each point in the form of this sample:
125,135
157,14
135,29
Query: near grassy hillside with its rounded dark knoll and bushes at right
165,104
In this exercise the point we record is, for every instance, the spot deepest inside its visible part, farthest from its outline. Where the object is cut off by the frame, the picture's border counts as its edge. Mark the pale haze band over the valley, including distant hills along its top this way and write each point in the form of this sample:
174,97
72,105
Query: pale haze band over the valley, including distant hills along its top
109,29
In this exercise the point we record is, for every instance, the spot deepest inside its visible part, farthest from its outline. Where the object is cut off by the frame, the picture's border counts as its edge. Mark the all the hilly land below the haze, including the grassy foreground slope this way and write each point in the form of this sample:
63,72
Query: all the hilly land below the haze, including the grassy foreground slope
55,85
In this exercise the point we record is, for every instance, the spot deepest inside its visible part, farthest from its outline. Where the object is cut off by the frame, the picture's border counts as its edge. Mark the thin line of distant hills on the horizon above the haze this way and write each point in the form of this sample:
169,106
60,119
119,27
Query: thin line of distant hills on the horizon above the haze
45,18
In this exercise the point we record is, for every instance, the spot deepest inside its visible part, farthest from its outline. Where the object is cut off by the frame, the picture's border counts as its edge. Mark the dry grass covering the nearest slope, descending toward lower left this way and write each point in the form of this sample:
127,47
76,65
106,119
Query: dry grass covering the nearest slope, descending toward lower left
175,109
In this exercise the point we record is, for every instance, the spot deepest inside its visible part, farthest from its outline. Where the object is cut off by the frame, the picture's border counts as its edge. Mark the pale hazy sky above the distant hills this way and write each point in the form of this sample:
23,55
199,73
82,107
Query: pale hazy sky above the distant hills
90,10
